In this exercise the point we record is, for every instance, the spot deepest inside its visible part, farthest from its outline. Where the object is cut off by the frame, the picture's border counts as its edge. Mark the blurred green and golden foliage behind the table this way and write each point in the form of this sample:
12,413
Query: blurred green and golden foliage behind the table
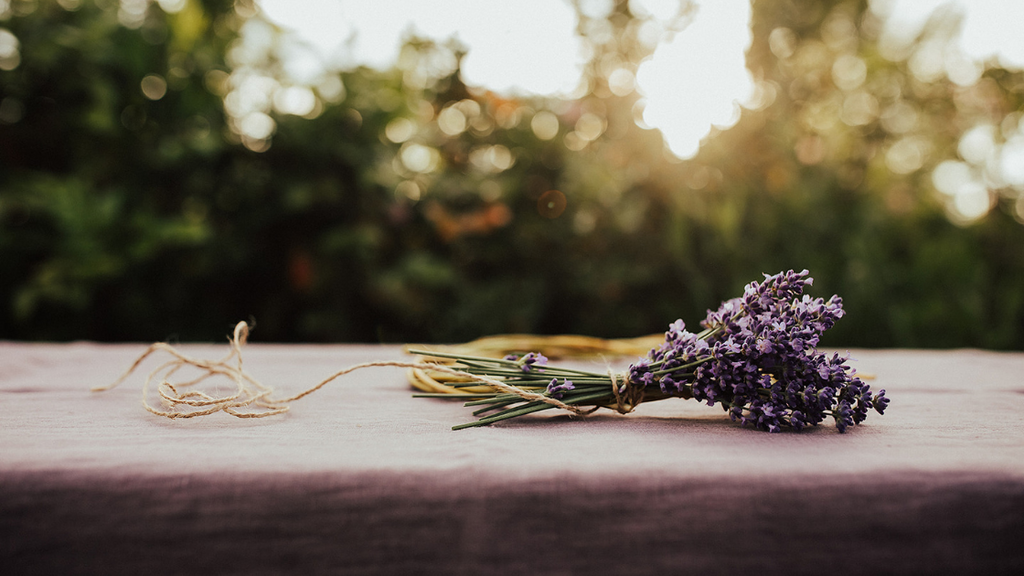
124,218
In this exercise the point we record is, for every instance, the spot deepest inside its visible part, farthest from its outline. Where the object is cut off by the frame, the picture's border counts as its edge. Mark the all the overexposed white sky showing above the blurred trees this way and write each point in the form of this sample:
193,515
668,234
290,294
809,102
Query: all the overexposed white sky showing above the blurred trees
692,84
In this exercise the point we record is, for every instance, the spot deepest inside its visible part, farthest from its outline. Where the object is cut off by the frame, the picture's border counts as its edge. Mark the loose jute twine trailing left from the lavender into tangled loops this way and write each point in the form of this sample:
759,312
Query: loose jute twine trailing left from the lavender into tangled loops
250,394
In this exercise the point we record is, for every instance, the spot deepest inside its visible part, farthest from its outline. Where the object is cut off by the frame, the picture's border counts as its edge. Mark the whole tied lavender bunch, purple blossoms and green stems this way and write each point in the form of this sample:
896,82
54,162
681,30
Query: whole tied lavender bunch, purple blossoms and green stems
756,357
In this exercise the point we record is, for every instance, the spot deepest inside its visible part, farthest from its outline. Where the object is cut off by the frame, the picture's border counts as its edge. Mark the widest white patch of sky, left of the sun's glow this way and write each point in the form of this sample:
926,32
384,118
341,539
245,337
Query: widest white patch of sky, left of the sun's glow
528,47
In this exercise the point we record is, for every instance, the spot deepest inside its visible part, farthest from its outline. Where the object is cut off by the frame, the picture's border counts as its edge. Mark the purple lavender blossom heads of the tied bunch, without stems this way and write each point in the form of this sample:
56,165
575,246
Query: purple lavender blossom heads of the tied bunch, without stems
757,356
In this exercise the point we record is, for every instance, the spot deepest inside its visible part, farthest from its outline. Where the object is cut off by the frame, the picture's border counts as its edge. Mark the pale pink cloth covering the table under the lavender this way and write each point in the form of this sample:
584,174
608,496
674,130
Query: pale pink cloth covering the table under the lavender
361,478
